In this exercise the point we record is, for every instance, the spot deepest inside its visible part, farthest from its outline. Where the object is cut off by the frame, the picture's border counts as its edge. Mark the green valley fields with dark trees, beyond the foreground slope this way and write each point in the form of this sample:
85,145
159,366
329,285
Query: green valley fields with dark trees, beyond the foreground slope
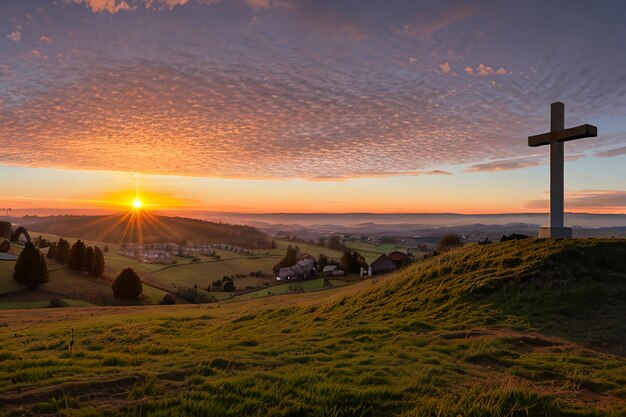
157,278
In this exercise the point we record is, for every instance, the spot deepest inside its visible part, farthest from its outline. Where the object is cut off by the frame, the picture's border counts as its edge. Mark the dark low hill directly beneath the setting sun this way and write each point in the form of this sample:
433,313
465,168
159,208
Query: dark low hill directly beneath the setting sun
148,228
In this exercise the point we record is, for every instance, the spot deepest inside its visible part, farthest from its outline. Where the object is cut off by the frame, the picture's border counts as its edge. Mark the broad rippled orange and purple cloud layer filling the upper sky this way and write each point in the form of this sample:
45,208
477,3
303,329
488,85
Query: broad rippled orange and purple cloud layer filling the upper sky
297,89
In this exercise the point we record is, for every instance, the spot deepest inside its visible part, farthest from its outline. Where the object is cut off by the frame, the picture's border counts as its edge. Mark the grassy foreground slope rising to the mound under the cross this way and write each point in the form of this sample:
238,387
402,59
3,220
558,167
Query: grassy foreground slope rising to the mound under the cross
520,328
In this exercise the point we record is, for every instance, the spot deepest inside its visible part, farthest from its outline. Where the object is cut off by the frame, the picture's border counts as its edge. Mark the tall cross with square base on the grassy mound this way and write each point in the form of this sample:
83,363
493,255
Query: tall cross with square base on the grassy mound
555,138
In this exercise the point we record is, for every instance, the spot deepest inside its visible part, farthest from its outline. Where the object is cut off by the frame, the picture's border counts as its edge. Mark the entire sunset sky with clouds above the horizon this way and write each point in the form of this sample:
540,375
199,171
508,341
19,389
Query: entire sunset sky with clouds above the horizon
309,105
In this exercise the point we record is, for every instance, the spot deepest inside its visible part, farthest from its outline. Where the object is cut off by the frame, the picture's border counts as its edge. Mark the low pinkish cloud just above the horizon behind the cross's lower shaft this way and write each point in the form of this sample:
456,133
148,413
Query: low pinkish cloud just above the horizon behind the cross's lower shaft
607,200
